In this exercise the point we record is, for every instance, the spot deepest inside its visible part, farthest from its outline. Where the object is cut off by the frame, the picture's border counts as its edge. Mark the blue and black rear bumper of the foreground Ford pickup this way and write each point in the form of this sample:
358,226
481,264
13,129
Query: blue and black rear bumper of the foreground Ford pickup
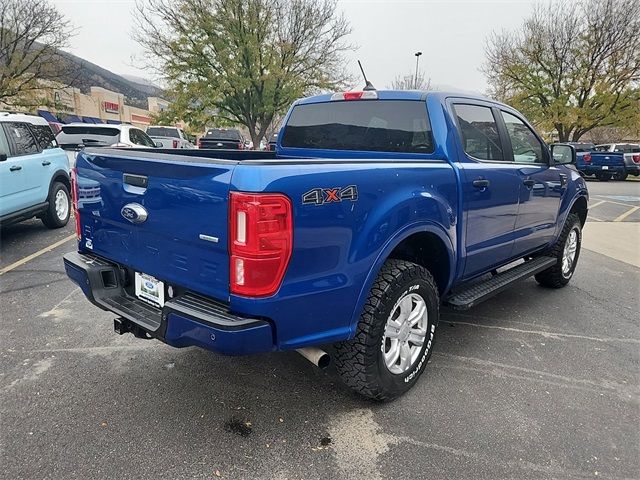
185,320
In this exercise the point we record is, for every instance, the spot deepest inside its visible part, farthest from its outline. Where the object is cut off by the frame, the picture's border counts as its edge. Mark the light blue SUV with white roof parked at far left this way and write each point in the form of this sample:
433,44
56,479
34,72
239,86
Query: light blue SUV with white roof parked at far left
34,172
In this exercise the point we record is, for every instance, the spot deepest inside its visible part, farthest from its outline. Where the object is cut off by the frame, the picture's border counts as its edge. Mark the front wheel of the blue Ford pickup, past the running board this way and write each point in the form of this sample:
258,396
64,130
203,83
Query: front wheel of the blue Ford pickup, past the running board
566,250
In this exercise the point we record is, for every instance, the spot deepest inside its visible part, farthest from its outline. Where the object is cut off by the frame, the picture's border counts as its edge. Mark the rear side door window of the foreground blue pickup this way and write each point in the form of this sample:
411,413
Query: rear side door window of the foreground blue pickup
479,132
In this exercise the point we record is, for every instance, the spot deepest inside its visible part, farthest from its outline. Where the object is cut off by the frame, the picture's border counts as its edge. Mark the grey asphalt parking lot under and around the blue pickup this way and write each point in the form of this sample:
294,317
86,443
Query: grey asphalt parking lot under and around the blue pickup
534,383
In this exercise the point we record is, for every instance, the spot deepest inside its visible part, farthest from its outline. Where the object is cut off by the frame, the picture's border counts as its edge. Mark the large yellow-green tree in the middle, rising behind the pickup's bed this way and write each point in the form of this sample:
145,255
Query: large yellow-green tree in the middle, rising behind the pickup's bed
243,61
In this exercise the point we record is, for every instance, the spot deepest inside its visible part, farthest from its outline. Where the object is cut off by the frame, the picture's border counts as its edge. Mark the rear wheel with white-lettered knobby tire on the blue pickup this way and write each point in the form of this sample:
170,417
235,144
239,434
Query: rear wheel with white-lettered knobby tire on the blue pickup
395,335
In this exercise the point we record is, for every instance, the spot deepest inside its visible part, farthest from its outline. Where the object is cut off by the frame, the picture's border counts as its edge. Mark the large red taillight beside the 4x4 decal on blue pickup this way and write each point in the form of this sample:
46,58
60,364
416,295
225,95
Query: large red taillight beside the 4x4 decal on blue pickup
260,242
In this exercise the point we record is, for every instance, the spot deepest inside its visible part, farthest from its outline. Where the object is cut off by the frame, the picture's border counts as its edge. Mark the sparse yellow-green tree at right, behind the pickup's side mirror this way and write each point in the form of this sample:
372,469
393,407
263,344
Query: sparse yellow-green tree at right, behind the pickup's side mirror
571,66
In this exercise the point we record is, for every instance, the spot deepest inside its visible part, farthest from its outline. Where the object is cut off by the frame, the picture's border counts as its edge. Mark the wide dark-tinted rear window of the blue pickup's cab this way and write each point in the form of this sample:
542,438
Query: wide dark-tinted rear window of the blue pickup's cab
400,126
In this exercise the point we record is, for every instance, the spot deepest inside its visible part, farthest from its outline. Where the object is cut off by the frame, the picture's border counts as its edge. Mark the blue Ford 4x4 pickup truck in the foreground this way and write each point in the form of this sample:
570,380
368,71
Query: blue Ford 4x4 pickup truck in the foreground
376,208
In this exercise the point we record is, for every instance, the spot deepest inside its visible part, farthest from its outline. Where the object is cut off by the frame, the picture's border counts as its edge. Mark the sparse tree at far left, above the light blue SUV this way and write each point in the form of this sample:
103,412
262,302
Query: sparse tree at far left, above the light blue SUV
31,34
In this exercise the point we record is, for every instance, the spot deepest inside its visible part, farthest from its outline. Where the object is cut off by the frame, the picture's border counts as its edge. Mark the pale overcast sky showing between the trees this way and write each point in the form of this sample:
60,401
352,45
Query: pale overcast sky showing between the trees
451,35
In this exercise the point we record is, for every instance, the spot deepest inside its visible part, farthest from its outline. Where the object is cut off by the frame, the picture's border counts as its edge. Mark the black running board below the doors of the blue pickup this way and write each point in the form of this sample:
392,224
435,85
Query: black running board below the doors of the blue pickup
478,292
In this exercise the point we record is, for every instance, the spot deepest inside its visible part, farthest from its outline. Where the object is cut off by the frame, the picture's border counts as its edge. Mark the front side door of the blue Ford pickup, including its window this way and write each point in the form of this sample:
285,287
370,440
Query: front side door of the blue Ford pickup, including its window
542,185
